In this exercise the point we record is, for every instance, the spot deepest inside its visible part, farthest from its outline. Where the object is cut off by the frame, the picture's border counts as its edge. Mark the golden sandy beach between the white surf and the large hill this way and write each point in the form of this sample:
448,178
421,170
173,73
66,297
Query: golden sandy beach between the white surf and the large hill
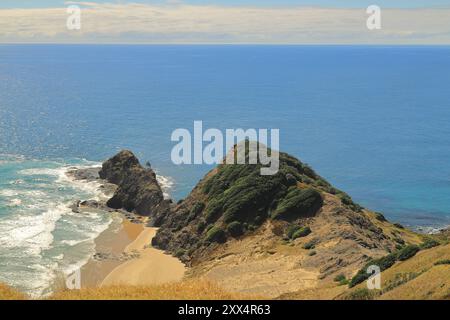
125,256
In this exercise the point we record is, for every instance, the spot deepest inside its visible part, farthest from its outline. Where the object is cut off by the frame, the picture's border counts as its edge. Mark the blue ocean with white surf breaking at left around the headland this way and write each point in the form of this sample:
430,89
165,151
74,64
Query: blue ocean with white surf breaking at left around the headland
372,120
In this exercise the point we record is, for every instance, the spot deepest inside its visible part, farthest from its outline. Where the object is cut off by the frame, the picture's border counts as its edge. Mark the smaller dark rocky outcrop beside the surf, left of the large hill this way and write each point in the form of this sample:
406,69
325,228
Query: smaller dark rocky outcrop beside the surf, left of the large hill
138,190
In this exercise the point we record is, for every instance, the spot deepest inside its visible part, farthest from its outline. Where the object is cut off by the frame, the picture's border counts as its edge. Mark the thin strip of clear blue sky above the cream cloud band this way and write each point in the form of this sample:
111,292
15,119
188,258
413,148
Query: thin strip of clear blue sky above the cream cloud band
326,3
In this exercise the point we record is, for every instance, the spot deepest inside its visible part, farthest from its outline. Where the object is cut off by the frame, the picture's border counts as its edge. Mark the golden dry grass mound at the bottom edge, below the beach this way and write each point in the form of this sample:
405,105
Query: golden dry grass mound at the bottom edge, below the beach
186,290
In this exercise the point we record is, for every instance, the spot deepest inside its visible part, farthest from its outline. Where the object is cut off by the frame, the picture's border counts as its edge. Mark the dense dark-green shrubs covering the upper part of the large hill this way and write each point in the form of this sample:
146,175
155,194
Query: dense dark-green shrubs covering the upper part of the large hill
240,194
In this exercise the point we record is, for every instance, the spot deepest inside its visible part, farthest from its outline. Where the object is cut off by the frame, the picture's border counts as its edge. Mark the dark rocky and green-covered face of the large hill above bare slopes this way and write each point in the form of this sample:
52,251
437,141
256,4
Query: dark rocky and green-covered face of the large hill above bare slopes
233,201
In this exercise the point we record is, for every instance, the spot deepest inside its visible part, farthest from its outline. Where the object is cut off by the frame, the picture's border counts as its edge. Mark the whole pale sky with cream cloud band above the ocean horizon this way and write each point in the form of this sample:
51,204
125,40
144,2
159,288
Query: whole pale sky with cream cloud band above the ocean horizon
417,22
